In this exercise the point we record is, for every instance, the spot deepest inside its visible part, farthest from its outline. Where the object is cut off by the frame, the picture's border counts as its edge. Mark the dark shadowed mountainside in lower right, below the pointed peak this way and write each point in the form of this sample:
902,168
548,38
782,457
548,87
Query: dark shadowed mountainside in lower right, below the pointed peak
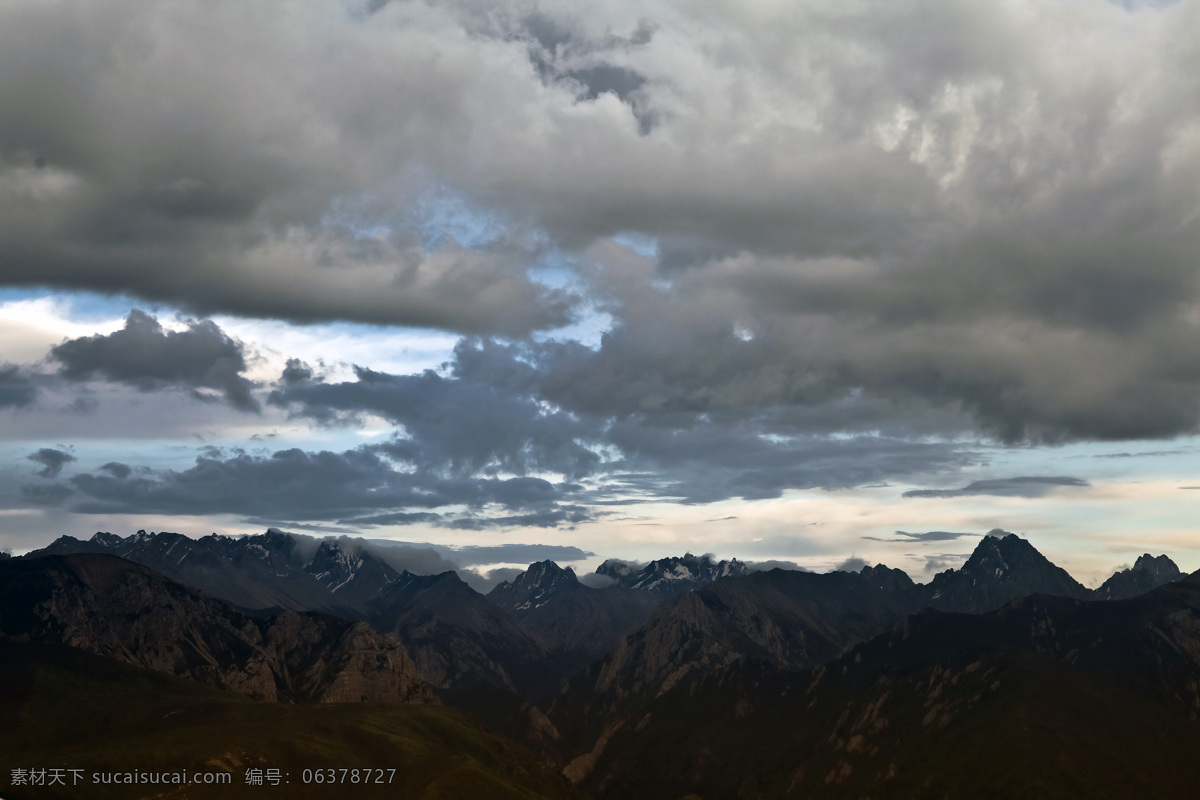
1046,697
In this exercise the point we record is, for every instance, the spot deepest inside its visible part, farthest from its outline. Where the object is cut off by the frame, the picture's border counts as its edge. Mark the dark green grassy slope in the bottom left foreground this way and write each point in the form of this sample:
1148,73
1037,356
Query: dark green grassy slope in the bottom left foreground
65,708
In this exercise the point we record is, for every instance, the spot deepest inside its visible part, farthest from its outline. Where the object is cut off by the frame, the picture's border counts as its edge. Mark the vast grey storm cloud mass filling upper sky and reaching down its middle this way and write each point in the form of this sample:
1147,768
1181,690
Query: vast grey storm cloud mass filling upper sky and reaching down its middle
875,230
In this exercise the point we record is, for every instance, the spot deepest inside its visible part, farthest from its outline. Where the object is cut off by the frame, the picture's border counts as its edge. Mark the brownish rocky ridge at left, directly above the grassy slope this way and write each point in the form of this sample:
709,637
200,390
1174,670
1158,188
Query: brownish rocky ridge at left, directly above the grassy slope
112,607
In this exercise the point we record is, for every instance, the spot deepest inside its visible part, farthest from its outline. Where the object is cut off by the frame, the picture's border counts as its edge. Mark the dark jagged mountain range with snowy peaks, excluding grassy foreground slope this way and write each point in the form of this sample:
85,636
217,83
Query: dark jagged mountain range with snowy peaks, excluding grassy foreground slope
735,683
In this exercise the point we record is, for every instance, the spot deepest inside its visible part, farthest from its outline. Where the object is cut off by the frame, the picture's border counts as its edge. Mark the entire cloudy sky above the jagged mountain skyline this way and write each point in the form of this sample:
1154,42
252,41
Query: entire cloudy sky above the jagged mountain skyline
813,282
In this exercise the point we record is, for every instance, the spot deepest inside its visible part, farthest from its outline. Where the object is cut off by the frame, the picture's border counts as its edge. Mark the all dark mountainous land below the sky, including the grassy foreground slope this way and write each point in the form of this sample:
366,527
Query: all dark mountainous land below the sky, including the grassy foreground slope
683,678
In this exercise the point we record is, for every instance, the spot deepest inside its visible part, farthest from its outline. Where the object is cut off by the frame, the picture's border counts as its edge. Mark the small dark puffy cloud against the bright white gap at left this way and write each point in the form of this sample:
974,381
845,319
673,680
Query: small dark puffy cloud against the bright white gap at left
147,357
